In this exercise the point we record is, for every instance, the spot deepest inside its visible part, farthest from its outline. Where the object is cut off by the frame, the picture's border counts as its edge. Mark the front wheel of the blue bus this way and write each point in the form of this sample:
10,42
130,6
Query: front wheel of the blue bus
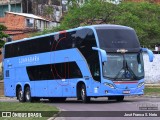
84,97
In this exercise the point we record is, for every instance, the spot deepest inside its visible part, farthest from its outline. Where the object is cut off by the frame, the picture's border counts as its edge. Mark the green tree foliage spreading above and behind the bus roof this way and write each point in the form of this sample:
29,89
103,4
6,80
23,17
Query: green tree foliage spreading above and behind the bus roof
144,17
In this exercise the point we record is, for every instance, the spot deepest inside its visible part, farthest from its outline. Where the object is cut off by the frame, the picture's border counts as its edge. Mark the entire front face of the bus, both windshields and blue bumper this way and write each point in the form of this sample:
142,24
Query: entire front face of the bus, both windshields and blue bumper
123,72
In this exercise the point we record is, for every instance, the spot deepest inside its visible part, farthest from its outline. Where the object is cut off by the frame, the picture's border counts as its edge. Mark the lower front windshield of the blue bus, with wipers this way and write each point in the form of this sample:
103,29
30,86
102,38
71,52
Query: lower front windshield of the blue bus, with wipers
124,66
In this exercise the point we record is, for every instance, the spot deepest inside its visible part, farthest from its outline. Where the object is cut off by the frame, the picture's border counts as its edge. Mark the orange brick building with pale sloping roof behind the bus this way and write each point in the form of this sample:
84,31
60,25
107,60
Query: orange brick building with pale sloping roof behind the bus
20,25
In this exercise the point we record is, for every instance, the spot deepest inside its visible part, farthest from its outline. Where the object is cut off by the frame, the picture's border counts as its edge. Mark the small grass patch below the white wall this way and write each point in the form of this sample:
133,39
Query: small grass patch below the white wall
154,91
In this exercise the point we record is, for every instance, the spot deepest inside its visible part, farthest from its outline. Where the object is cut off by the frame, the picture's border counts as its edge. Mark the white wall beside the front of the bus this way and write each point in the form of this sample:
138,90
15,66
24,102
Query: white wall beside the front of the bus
152,69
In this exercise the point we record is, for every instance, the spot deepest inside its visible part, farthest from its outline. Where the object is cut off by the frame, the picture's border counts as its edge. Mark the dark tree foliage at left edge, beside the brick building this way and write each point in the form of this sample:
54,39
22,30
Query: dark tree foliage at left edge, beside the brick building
2,35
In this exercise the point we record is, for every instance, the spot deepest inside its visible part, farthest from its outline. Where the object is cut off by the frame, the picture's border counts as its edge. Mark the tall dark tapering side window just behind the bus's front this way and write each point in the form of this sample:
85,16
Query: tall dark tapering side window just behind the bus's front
85,40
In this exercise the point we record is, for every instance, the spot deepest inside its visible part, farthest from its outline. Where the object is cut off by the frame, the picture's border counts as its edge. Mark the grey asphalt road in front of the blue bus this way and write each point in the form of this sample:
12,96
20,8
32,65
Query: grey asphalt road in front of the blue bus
102,105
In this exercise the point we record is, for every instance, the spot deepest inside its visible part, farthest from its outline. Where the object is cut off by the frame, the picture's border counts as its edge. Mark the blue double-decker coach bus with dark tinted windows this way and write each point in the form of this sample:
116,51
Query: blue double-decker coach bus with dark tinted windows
91,61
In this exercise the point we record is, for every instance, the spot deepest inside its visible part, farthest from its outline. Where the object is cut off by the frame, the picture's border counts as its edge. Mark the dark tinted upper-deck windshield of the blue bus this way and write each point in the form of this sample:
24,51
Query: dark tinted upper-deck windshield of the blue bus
113,39
